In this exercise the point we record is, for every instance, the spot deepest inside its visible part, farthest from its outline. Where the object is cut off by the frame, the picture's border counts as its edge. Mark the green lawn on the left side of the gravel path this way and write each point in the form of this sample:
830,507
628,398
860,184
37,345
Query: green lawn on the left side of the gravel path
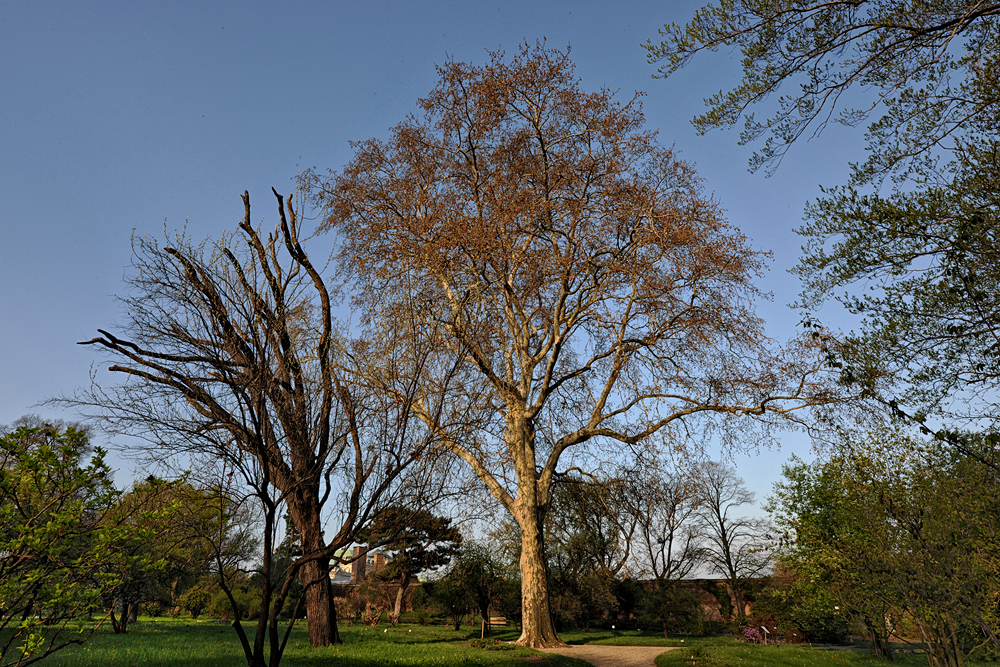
186,643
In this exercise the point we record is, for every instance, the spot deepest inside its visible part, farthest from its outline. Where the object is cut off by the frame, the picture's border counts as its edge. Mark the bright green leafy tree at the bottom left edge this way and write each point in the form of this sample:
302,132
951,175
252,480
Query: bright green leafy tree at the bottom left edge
59,547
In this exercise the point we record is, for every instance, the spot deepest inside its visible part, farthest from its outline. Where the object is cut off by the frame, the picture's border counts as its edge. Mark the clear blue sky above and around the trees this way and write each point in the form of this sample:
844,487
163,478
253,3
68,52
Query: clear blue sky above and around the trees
117,118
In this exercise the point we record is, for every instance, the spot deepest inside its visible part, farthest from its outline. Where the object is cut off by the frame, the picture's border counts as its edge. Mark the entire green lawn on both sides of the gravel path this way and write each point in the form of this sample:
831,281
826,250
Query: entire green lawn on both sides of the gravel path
186,643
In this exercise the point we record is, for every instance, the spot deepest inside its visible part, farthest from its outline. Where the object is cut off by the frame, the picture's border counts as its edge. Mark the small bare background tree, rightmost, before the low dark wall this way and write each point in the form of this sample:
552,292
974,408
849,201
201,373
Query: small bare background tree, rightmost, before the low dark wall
734,546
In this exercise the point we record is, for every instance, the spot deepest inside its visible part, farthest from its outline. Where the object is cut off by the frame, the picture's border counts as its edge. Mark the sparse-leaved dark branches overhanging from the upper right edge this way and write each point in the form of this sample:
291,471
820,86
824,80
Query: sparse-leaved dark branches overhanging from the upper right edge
919,264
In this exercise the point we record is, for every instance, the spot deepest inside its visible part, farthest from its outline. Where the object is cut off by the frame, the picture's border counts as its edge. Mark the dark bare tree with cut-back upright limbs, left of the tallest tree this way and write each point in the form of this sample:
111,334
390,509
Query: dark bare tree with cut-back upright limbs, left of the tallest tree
230,352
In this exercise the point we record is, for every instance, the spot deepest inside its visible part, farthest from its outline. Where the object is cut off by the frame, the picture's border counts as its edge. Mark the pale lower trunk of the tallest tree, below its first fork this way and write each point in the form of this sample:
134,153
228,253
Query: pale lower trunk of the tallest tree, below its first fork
537,629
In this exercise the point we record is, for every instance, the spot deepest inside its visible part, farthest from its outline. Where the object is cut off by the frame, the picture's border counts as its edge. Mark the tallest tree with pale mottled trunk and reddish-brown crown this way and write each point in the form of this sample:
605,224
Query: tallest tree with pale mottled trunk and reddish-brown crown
598,300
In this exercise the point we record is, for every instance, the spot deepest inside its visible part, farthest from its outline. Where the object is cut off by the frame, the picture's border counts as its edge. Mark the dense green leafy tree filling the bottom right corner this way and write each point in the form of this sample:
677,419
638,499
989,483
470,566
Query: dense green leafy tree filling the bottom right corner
903,533
